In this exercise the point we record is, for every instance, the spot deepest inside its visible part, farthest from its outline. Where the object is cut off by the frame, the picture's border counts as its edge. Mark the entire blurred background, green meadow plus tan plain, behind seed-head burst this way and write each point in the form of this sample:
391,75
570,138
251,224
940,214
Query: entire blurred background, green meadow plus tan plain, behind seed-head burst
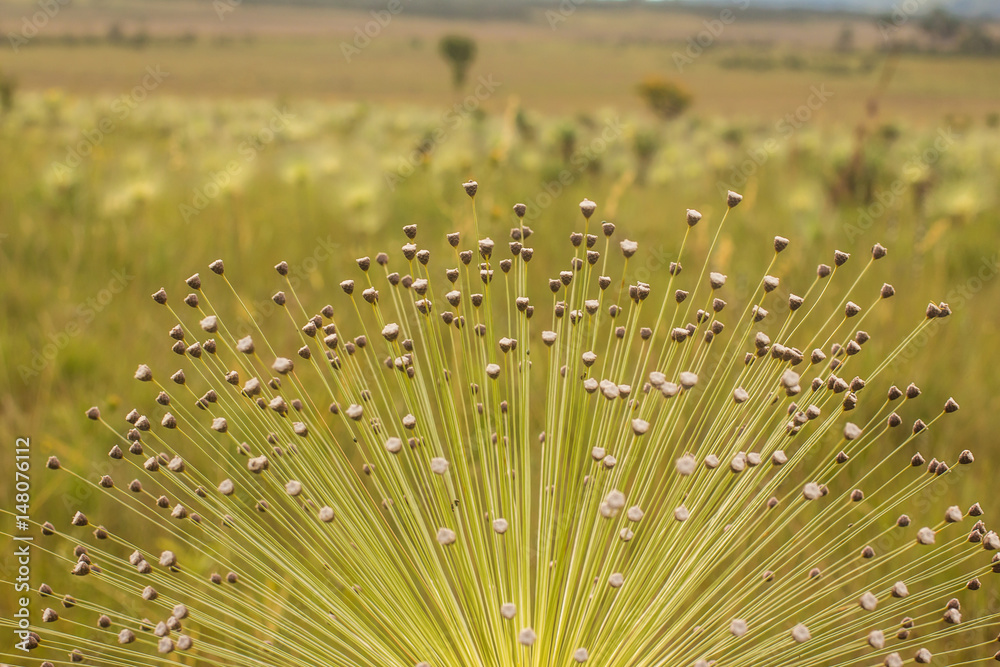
141,140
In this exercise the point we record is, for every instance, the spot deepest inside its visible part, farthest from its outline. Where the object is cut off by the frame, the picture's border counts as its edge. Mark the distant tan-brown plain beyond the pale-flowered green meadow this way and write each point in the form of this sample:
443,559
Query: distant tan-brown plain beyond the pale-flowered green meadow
761,64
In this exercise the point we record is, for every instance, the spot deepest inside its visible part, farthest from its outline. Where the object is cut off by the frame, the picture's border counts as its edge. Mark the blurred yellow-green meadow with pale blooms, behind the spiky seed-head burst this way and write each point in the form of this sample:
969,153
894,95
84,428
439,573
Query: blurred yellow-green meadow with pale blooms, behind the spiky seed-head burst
322,182
